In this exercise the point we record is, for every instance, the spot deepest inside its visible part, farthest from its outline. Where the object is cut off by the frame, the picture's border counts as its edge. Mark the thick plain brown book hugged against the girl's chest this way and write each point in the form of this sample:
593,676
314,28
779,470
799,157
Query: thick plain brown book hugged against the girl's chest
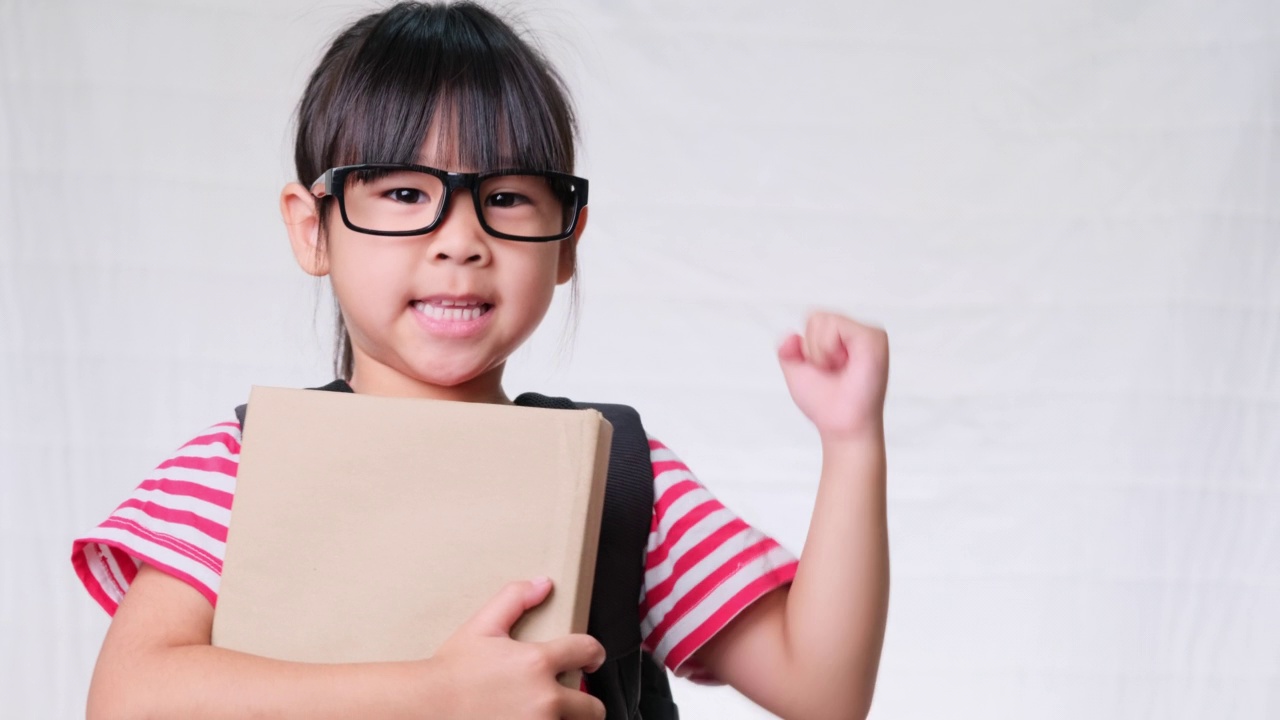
372,528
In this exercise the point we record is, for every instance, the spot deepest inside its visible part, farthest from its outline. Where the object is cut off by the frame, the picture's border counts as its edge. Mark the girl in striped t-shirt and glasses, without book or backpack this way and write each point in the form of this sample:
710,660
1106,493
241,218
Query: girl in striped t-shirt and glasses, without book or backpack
437,154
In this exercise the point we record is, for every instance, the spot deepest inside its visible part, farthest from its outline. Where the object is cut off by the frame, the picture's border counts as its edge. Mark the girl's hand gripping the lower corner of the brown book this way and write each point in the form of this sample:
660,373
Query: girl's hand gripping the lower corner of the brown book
492,676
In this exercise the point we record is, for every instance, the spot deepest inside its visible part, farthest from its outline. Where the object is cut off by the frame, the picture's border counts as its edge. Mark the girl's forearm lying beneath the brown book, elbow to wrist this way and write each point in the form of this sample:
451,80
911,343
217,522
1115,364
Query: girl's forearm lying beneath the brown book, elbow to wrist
204,682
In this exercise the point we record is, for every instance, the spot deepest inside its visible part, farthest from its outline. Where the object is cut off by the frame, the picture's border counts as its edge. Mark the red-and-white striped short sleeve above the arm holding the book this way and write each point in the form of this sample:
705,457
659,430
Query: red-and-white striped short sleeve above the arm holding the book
176,521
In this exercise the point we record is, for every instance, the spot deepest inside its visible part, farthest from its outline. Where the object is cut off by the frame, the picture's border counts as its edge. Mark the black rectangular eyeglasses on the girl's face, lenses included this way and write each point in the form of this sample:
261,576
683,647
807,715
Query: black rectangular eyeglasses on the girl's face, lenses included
403,199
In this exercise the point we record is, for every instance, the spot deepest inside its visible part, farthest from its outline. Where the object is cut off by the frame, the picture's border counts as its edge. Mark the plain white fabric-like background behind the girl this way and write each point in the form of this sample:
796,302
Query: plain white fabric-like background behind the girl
1066,213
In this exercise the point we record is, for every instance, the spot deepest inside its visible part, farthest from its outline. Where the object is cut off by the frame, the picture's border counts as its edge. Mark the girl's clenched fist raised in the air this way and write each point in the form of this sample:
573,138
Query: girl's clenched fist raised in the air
838,375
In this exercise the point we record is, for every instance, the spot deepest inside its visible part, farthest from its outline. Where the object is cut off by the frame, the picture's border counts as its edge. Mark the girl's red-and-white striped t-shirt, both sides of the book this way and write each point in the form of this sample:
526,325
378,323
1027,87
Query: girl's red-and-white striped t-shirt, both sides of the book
705,566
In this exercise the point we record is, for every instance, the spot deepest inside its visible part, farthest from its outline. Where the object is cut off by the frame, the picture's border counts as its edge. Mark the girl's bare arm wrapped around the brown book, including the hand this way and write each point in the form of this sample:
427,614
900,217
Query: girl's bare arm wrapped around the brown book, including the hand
157,663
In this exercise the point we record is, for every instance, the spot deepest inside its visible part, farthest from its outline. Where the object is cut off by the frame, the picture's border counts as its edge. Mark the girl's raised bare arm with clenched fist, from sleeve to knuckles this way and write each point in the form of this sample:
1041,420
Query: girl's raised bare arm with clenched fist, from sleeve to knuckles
812,651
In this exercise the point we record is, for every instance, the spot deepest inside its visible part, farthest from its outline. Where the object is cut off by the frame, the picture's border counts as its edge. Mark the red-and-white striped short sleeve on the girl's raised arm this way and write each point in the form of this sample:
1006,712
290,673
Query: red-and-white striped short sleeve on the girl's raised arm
705,566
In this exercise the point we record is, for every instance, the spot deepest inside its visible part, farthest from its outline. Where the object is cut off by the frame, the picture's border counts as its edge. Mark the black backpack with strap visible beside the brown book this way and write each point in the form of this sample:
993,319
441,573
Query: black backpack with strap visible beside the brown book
632,685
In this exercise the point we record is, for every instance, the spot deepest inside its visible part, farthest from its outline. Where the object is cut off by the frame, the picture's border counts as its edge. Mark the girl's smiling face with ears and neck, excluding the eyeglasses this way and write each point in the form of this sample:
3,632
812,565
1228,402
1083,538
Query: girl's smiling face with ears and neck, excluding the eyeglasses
436,315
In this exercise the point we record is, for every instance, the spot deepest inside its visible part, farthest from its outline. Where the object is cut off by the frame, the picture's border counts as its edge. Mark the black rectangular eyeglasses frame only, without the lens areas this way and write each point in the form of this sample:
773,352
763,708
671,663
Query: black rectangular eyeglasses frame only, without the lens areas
332,183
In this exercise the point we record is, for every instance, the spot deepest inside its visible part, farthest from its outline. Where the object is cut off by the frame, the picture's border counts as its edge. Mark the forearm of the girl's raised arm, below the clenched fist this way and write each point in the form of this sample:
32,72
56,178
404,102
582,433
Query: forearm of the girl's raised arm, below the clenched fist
839,603
